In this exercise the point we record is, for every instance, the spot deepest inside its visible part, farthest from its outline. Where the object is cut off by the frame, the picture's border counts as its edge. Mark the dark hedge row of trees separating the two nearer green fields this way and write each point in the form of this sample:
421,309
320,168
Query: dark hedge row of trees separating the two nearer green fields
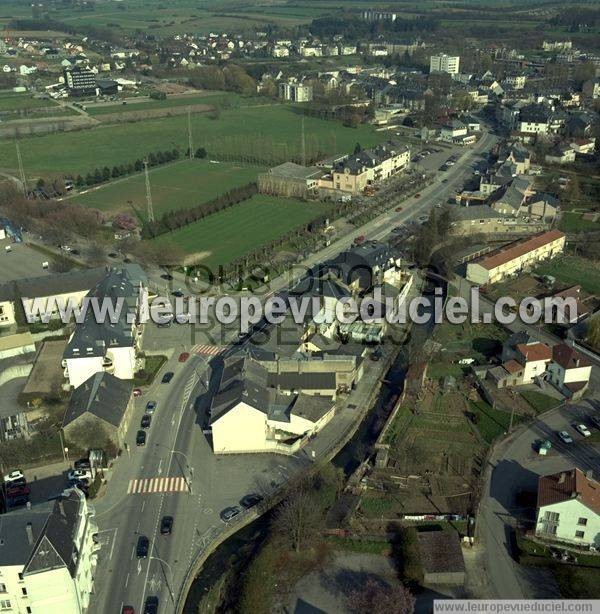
172,220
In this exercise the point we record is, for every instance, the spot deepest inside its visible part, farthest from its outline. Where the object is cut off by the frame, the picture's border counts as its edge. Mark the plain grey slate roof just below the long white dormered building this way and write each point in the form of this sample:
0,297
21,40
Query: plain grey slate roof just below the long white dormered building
103,395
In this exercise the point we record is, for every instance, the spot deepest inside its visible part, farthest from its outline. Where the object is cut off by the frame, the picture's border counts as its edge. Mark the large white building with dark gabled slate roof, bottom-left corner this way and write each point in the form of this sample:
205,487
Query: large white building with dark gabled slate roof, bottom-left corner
48,557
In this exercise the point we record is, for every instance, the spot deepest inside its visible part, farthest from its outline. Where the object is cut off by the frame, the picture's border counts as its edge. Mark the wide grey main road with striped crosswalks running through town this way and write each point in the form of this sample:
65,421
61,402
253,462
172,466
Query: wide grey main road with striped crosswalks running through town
176,474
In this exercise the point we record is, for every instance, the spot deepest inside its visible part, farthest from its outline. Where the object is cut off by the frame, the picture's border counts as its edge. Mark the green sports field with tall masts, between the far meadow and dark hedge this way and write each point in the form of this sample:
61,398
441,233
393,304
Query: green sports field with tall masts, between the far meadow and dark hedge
174,186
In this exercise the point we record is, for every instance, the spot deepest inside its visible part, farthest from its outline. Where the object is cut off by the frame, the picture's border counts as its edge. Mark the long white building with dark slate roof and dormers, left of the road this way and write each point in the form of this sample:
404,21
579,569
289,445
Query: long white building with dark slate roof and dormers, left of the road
109,346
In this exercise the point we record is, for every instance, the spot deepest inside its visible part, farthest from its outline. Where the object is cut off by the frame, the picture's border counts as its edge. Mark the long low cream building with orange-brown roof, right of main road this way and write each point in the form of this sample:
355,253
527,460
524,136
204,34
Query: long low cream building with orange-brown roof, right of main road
516,257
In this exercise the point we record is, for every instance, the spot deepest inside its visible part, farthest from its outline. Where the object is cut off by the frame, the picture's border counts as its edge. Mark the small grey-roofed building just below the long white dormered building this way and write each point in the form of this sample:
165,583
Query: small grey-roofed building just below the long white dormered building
103,403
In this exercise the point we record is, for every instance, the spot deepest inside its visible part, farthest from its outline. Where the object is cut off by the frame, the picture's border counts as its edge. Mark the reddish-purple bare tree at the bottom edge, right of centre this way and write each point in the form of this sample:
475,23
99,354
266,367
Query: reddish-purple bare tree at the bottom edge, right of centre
376,597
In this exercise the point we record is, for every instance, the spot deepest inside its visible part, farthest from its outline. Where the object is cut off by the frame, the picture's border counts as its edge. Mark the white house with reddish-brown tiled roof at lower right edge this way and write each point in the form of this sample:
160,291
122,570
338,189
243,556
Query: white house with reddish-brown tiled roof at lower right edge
568,508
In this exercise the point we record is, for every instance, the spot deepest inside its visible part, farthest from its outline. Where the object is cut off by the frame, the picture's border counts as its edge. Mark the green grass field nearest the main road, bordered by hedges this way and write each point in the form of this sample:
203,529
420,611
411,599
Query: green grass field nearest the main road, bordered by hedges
233,232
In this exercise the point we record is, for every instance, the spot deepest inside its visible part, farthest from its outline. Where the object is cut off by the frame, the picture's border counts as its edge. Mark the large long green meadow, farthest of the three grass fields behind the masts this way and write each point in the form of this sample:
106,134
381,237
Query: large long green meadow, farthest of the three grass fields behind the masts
245,131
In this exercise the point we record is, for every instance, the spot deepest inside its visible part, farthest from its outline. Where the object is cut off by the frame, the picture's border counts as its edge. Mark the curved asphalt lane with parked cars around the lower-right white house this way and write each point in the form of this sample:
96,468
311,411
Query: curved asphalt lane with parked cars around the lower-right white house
514,467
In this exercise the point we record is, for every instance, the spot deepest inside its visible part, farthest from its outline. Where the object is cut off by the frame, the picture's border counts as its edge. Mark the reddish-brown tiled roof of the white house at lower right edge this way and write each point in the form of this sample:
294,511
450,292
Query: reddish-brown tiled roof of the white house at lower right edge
572,484
